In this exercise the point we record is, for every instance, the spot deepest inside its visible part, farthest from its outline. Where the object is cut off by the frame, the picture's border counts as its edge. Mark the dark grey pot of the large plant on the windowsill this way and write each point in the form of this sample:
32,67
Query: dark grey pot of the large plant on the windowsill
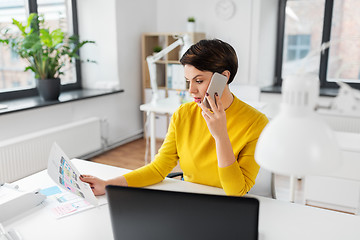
49,89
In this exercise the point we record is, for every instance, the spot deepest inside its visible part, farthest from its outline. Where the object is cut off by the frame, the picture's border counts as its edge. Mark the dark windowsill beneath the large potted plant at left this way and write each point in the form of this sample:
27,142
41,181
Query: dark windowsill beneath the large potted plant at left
65,97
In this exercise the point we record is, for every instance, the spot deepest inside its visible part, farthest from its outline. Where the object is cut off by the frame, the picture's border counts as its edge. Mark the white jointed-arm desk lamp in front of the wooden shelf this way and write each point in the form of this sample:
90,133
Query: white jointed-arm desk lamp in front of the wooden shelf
183,41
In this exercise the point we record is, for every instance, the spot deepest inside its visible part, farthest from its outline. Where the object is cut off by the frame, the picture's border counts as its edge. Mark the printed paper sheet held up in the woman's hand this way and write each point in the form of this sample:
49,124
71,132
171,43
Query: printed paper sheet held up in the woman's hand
64,173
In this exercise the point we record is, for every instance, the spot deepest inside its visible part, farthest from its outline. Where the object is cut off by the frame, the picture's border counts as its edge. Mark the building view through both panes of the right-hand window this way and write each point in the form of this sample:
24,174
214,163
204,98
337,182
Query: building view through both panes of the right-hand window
303,33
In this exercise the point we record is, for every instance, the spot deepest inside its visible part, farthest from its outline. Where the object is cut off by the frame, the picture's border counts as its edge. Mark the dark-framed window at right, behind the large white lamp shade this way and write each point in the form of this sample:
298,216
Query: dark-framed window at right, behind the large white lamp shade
304,25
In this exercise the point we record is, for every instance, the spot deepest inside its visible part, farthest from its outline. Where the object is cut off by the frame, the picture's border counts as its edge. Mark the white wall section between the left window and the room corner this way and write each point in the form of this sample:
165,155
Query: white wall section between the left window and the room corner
99,26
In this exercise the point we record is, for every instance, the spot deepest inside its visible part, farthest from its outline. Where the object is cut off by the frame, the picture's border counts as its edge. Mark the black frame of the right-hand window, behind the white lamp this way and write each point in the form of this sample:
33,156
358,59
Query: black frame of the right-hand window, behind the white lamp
323,65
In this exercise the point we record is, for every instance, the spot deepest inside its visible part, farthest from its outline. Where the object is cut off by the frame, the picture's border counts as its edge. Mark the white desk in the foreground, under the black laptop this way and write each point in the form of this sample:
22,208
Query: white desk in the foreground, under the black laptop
278,220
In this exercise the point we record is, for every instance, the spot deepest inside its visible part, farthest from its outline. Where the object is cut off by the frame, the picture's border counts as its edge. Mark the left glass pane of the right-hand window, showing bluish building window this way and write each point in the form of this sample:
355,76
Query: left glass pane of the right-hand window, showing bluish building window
302,35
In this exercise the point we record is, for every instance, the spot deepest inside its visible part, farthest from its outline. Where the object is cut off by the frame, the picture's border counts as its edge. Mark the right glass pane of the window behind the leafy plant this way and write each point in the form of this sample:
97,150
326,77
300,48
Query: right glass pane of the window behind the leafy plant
56,15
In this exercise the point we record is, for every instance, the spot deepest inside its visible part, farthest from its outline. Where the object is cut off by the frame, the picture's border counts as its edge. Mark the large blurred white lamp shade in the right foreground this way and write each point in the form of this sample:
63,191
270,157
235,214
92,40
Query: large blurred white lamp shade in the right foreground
297,141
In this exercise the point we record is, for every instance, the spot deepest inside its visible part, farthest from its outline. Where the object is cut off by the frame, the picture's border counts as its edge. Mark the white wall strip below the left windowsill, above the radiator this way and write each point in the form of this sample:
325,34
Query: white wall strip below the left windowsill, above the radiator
105,107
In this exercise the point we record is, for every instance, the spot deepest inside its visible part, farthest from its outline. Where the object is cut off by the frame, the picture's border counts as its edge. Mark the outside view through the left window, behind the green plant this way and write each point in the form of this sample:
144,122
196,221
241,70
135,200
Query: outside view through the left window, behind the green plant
12,75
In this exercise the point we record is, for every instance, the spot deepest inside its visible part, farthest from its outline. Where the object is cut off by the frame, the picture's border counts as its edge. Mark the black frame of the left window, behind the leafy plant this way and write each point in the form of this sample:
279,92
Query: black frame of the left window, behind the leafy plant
23,93
